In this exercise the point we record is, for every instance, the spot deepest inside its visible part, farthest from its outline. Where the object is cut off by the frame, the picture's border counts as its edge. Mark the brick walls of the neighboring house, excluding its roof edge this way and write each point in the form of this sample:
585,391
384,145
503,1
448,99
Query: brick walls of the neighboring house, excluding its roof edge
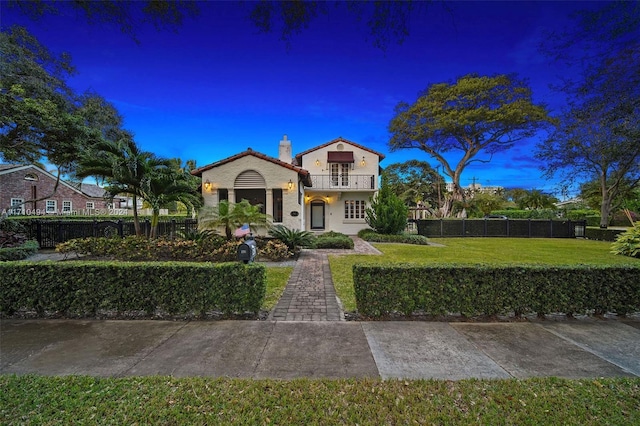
27,183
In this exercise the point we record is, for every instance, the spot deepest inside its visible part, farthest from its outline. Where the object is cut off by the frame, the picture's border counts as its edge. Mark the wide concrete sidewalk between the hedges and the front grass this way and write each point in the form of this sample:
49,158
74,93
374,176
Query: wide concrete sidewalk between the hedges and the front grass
330,349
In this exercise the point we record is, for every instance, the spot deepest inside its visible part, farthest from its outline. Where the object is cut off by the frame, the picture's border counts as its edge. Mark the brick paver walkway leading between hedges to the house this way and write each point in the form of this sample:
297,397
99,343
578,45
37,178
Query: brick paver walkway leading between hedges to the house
310,294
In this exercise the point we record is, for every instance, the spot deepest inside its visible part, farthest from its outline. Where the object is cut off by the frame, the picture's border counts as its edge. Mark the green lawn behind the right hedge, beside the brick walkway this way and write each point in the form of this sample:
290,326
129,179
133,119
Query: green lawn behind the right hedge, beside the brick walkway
549,251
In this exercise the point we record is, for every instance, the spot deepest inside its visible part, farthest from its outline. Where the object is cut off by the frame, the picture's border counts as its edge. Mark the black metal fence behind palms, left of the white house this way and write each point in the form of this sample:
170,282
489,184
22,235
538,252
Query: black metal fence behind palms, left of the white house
49,233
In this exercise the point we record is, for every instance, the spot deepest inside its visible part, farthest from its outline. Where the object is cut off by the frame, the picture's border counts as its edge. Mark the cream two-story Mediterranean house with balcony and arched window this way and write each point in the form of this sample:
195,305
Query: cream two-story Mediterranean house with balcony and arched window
326,188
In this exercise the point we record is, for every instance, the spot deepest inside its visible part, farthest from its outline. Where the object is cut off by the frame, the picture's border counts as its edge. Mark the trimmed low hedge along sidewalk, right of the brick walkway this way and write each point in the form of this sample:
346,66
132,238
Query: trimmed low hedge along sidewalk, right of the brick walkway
495,290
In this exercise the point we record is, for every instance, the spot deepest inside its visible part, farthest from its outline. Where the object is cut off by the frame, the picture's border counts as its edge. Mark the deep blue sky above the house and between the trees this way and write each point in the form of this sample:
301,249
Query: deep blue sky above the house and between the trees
217,86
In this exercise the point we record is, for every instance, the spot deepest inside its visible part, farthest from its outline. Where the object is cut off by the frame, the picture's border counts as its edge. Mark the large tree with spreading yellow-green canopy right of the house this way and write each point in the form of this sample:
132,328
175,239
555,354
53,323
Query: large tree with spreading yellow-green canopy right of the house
472,116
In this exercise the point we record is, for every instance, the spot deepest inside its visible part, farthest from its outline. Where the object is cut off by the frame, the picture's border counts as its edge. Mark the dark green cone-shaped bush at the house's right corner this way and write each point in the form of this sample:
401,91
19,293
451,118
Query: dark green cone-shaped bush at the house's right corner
387,213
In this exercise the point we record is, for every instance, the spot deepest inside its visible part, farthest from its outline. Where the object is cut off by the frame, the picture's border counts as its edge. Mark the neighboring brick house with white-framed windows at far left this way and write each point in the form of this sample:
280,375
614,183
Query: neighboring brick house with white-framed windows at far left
20,184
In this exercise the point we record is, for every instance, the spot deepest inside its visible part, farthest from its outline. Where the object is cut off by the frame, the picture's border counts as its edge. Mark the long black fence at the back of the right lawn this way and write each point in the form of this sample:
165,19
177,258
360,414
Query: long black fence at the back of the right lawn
523,228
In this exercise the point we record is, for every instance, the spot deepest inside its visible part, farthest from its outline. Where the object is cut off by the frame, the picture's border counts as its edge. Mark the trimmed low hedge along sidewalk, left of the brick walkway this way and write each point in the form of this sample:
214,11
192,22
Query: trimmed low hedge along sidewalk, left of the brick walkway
89,289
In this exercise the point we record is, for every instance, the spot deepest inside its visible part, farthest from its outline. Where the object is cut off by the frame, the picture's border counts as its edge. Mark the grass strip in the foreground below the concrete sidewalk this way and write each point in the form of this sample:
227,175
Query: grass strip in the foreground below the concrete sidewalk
36,400
